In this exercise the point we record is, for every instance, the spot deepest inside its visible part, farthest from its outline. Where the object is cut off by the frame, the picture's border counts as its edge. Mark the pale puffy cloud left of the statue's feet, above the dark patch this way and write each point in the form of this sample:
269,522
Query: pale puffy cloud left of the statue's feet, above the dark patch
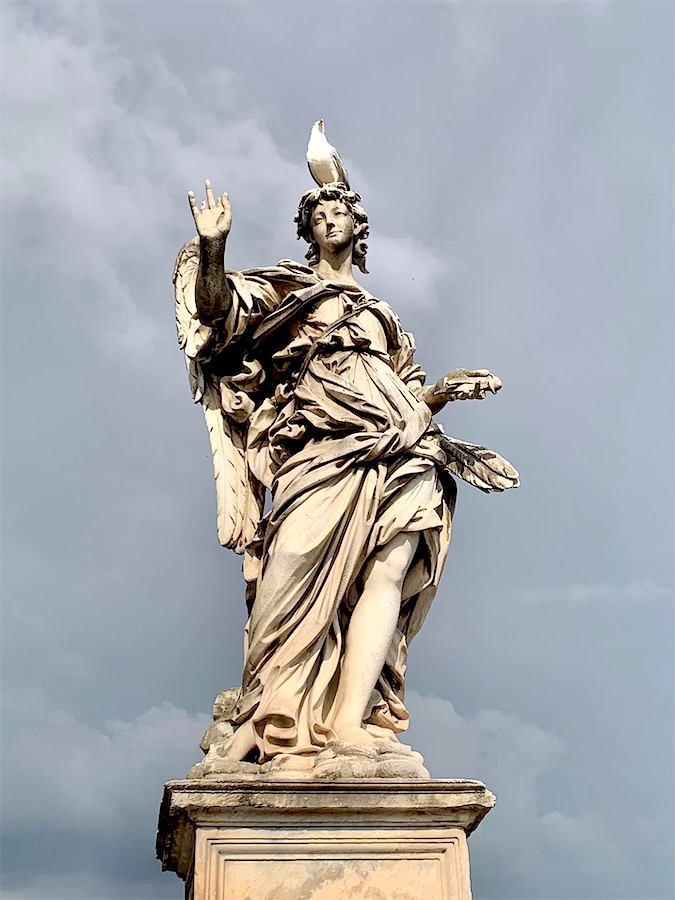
61,769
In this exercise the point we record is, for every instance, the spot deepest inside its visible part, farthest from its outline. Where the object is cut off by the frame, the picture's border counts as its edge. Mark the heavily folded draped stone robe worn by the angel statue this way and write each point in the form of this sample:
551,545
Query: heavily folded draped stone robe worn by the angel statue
348,450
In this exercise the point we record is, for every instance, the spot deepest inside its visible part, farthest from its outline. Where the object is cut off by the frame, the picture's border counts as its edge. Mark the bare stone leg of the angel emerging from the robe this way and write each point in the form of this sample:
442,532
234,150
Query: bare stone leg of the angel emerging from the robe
369,635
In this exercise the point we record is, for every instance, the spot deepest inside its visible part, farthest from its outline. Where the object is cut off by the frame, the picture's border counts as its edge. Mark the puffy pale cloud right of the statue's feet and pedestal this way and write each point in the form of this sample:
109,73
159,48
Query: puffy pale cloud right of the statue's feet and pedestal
521,850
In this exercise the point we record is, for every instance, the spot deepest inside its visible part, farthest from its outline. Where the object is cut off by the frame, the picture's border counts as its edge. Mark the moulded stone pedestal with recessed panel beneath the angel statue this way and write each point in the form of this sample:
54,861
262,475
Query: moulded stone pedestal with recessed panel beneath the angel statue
310,840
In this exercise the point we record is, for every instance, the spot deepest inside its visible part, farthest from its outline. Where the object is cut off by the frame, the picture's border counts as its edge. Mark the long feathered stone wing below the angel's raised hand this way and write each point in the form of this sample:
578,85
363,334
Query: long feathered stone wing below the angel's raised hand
239,496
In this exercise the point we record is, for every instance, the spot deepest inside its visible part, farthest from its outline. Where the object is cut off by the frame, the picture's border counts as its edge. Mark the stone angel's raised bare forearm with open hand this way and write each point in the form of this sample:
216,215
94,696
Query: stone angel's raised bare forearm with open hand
213,221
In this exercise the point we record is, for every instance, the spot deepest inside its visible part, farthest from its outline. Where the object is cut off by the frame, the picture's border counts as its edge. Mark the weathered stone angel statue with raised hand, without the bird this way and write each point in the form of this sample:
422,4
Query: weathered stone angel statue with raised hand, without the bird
311,393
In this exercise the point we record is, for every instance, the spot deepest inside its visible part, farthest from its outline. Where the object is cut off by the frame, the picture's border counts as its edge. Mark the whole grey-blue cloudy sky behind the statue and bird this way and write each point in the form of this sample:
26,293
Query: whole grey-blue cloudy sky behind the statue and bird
515,159
